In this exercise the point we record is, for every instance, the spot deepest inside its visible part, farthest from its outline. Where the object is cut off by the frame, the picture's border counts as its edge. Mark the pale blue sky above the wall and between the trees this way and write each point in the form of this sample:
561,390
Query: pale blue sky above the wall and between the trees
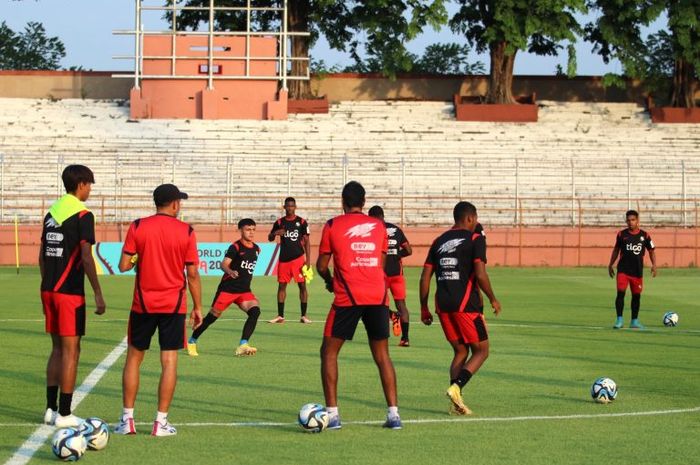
85,27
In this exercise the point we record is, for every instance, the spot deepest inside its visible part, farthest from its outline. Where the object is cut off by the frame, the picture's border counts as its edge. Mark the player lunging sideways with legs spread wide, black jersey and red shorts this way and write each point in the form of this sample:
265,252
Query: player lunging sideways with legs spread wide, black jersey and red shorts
238,265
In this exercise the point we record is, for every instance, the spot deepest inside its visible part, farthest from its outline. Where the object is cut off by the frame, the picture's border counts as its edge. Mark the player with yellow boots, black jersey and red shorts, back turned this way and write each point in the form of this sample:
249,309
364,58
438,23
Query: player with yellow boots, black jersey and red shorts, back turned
458,259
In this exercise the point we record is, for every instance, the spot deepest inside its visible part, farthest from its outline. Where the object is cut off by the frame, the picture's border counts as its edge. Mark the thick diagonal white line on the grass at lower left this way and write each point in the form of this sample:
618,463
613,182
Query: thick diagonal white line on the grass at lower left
26,451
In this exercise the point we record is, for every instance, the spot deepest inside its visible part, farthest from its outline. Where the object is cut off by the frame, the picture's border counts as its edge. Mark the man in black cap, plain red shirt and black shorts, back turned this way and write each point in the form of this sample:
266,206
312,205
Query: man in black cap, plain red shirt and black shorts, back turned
162,248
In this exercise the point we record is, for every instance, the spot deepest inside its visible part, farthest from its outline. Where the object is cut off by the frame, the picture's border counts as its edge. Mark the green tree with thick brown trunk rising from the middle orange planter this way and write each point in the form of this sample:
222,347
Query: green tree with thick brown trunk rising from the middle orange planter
505,27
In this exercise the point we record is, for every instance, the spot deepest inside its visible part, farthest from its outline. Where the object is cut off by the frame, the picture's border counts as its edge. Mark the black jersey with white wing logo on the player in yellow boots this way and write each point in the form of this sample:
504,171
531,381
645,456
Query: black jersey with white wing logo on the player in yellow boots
452,257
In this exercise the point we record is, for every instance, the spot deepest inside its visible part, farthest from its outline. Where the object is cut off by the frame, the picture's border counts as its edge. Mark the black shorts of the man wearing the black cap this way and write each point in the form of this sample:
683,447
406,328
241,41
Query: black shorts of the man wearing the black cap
172,333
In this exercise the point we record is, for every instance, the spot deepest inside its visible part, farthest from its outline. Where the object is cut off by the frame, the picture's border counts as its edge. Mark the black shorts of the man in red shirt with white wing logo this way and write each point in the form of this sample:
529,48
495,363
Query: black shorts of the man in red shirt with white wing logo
342,321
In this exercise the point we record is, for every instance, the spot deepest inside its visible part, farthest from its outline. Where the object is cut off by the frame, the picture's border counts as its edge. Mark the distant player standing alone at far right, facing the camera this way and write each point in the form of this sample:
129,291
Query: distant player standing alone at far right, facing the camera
630,245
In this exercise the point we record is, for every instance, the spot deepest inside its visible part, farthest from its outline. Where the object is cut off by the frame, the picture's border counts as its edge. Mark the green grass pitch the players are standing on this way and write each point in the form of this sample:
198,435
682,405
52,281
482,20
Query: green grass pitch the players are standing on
531,399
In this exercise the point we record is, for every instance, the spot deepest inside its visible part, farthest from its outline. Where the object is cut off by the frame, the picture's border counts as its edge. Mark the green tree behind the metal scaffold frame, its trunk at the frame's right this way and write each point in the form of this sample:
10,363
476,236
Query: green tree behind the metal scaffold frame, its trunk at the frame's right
378,28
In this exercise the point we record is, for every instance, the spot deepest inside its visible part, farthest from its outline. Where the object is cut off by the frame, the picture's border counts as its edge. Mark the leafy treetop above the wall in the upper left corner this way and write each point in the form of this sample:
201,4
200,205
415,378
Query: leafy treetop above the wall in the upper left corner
29,49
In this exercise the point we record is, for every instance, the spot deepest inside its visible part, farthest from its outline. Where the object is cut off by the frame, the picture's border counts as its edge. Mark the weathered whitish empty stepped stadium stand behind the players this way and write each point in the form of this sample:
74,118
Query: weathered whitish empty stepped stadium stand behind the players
581,161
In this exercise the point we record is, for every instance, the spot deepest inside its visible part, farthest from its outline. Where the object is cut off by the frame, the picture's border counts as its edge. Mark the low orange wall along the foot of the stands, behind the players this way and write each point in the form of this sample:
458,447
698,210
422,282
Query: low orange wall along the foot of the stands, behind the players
555,247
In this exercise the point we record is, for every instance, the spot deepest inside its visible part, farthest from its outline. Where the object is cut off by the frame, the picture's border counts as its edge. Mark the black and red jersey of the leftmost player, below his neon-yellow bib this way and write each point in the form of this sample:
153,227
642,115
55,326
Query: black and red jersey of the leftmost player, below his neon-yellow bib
60,249
